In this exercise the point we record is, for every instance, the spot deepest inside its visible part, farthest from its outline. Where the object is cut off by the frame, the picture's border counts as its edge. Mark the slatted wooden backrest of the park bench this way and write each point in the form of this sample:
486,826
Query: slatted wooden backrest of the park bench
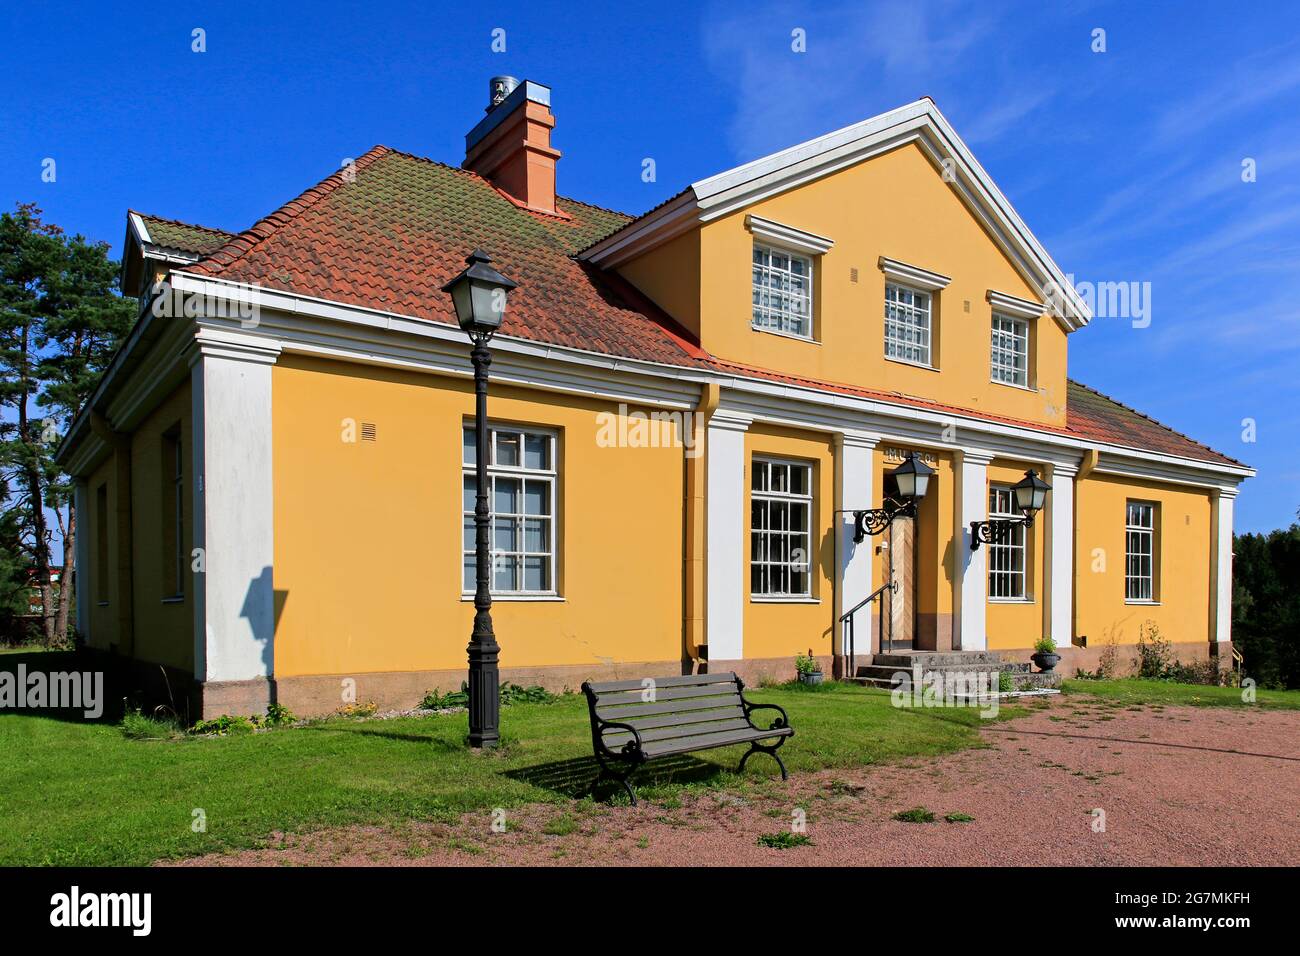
666,708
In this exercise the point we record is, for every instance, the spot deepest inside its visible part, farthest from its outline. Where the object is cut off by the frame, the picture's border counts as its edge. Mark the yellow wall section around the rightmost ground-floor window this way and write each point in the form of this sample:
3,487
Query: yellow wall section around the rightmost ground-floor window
1184,563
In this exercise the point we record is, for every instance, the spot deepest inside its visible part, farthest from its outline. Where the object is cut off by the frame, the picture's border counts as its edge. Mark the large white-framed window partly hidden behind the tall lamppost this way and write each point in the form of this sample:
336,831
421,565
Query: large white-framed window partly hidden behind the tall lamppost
522,501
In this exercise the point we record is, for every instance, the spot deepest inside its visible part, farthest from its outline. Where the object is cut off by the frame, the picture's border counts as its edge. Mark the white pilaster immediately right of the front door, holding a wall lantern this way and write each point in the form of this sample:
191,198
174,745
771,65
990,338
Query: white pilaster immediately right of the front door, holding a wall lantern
970,578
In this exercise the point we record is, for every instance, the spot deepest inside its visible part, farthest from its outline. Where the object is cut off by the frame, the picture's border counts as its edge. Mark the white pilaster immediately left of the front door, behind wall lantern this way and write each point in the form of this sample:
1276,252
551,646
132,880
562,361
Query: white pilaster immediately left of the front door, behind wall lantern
853,492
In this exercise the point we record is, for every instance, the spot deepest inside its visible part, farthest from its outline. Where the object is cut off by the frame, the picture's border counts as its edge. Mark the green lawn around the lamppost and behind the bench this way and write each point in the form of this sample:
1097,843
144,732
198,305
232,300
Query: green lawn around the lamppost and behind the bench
79,794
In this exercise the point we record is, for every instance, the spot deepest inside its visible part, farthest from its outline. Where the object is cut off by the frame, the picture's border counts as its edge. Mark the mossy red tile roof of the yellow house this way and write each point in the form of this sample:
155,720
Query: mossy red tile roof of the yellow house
391,236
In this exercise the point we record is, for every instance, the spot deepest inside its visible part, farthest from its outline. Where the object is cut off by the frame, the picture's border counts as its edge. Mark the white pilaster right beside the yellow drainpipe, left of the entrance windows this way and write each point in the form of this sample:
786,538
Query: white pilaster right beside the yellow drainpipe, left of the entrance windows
726,548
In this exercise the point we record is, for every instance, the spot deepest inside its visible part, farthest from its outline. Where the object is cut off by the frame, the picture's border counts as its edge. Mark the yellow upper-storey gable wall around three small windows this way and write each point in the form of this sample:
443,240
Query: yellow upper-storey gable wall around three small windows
896,206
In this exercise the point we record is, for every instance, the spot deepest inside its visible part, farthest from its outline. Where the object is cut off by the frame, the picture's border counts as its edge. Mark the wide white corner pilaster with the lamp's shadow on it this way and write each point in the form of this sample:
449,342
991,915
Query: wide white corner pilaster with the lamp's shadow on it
235,605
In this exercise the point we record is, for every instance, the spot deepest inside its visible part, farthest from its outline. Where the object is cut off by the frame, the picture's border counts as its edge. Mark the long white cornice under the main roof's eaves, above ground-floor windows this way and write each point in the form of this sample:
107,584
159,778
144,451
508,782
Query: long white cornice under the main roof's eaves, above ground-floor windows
309,326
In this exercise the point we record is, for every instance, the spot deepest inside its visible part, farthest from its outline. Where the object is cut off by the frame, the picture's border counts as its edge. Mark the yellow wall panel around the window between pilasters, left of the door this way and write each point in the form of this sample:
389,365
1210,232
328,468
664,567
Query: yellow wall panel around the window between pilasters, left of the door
777,629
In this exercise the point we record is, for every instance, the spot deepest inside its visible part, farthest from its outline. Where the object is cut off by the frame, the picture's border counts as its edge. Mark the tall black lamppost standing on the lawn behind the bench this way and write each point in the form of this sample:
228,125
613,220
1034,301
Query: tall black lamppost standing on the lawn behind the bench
479,295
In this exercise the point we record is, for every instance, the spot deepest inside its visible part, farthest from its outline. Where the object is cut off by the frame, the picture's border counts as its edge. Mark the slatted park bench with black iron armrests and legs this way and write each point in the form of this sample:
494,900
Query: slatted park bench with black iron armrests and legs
642,720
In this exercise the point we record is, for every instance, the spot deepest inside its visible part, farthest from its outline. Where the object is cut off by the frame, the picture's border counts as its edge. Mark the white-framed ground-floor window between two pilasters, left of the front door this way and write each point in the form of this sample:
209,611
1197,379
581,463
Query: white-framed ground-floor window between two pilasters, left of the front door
781,529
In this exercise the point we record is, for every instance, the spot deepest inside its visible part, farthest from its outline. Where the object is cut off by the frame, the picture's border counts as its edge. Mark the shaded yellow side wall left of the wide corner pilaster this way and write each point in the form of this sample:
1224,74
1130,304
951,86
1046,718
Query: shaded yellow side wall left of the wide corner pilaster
164,629
